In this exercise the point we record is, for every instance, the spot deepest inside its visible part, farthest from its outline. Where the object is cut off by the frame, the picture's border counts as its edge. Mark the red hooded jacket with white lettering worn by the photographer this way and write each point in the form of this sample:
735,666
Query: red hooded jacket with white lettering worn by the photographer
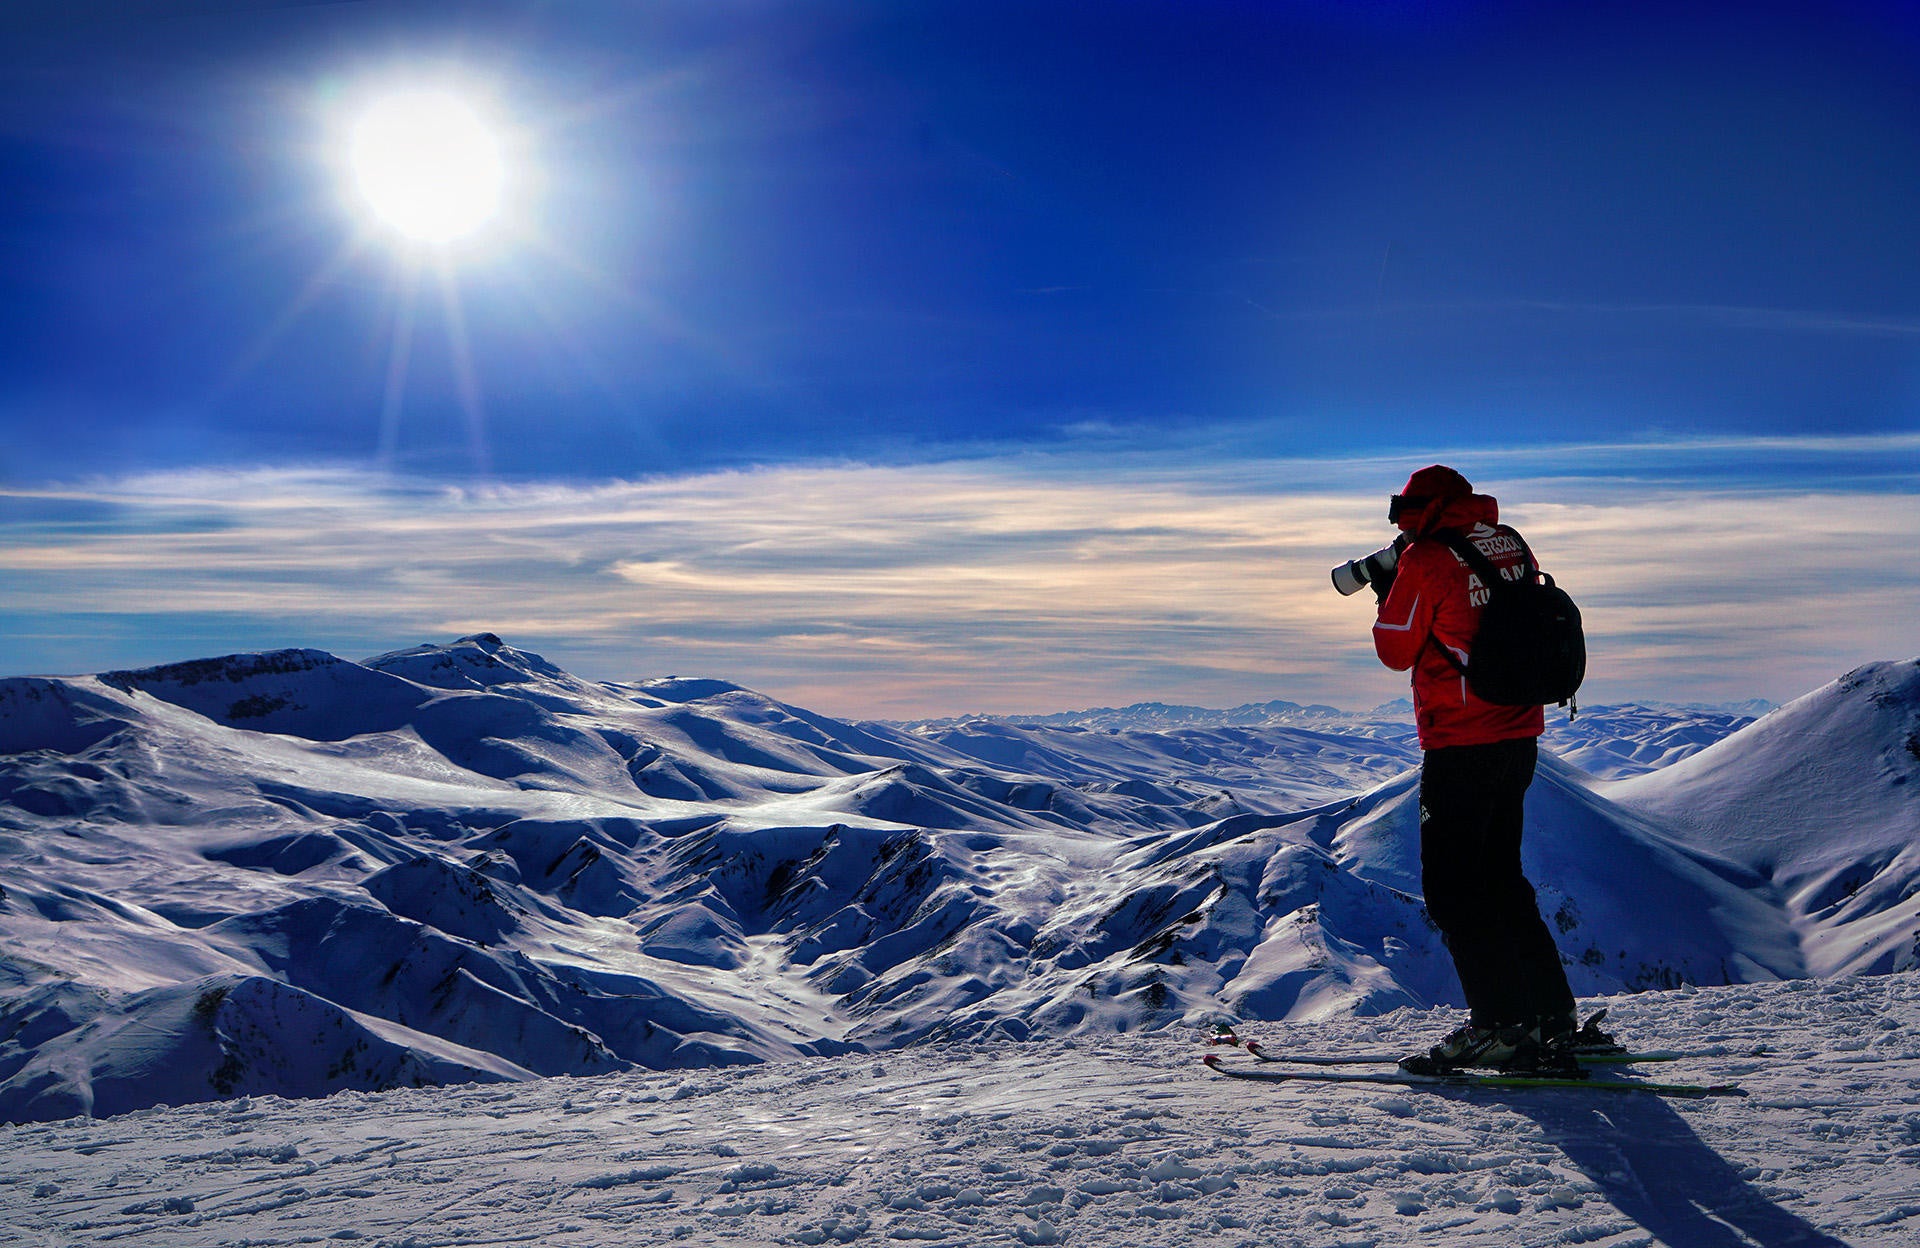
1437,602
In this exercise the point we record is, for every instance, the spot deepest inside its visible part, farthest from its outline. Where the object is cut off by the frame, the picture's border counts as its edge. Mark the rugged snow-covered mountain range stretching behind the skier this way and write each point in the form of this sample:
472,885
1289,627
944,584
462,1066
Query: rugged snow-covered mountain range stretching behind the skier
295,875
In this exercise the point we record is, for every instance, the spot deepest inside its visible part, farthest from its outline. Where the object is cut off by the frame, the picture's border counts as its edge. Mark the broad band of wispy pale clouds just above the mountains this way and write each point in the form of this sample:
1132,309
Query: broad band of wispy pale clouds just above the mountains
1003,585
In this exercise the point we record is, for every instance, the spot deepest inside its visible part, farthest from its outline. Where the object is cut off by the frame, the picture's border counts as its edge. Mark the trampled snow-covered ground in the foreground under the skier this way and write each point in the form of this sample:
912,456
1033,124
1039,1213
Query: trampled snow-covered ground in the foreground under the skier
1093,1141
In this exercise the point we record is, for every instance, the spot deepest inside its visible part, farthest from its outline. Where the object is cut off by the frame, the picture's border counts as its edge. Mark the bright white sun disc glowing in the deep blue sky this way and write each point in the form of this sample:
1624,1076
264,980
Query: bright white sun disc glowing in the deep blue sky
427,164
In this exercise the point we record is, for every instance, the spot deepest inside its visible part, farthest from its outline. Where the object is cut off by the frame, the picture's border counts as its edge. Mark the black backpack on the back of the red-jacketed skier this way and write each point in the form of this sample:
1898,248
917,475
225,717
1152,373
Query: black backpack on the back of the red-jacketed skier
1529,650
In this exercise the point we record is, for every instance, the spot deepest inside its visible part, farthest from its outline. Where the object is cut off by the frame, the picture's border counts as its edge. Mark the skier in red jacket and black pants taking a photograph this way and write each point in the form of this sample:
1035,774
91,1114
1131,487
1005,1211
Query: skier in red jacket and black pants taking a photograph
1479,761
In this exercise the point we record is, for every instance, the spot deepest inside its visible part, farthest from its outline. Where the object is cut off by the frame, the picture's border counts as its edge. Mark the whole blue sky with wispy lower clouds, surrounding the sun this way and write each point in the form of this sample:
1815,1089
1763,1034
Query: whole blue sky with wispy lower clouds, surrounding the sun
1212,277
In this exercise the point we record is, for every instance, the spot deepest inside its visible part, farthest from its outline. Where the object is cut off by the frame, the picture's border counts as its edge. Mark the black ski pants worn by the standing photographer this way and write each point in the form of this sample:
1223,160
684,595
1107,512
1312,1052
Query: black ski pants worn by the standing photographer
1472,813
